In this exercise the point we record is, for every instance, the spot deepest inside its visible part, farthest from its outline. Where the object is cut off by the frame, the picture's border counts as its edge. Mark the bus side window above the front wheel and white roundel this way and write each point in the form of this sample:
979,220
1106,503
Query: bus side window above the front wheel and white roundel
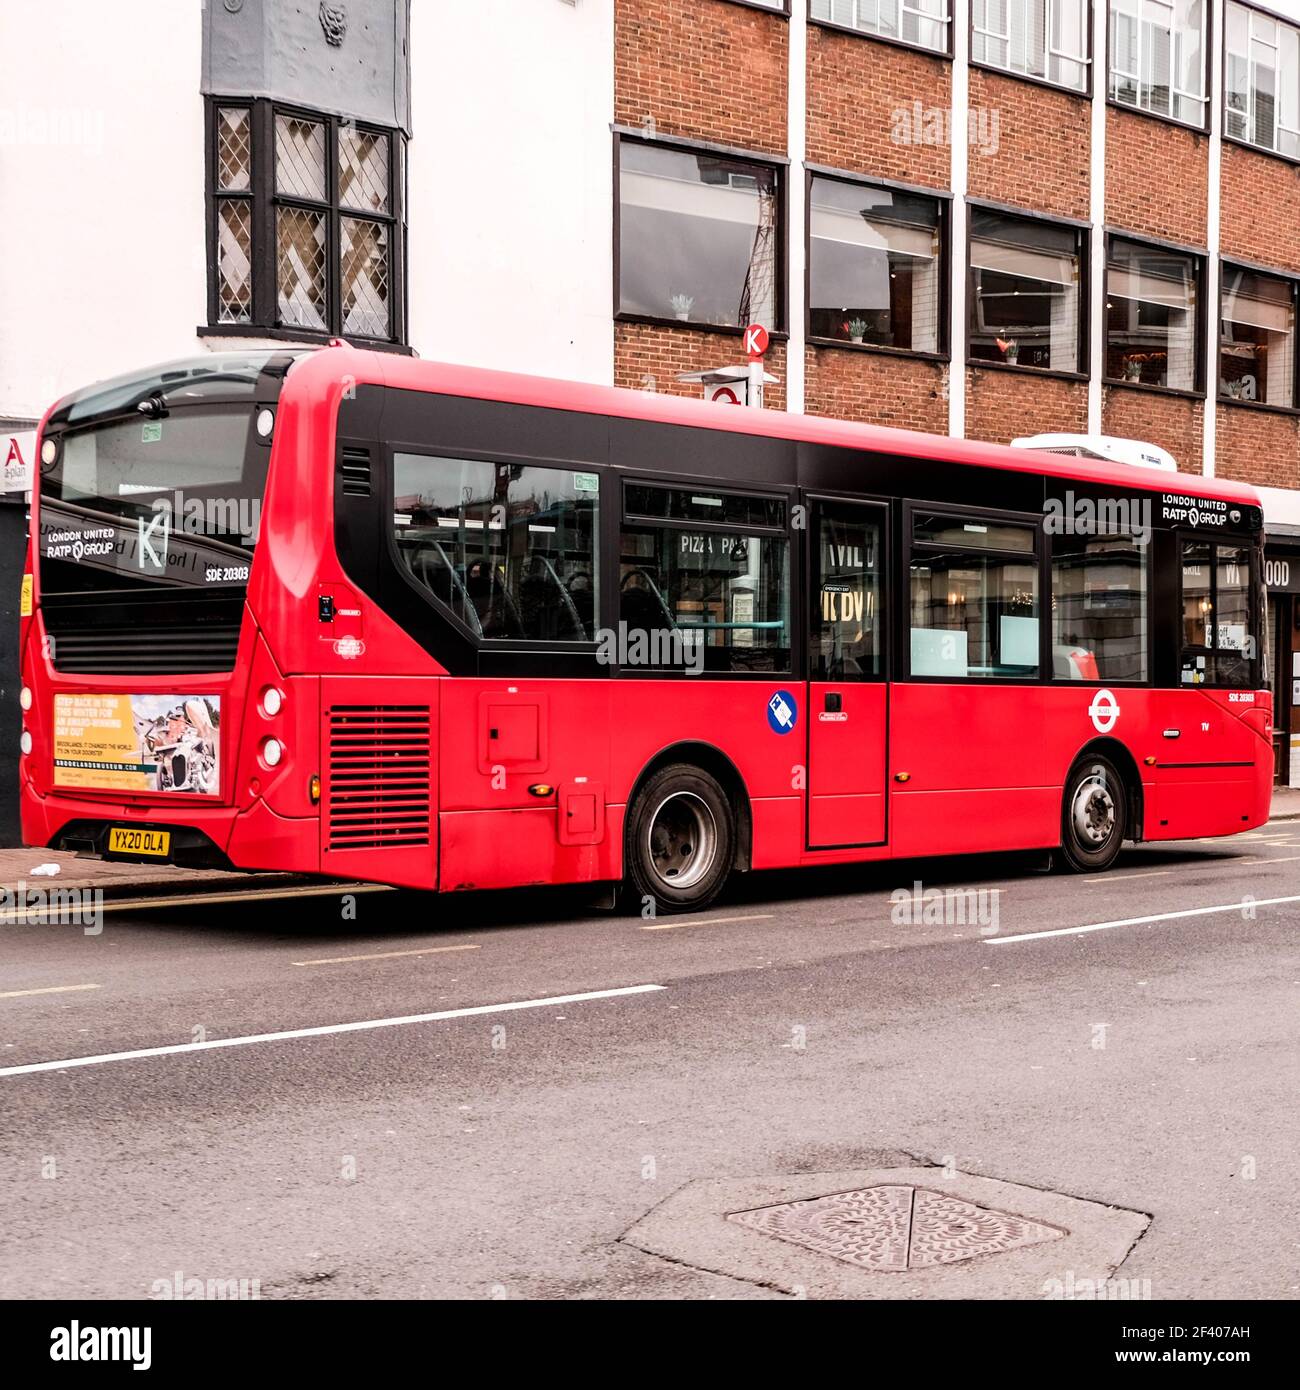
1099,608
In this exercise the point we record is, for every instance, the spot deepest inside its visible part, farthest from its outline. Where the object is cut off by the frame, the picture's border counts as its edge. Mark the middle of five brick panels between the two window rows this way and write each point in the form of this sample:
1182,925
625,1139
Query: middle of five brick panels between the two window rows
1030,145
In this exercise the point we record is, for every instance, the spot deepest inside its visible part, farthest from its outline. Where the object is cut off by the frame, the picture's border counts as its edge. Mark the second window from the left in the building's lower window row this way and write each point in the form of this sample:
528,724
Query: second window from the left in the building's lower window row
875,266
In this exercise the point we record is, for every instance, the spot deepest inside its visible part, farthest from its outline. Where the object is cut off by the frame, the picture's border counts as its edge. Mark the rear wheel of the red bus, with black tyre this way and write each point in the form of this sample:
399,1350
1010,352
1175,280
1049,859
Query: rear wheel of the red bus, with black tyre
681,840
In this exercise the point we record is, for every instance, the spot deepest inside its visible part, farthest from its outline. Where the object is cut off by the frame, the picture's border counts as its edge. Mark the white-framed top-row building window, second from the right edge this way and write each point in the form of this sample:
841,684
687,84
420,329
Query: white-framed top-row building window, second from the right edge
1159,58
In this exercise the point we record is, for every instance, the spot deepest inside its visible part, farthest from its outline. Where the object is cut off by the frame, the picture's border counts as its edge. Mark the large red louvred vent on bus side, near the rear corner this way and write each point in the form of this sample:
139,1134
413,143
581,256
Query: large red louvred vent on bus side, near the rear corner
379,792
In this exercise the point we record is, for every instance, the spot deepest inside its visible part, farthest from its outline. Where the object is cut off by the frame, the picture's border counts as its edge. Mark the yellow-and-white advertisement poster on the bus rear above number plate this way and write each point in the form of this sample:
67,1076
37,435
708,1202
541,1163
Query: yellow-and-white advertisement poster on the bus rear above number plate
138,743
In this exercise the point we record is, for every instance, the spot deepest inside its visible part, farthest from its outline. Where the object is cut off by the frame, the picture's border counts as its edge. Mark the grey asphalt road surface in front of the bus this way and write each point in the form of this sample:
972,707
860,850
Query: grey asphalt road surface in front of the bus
802,1027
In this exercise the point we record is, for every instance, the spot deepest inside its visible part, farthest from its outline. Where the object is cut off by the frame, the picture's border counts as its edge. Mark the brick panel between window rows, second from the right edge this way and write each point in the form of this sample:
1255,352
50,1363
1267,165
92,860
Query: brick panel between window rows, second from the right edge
1157,179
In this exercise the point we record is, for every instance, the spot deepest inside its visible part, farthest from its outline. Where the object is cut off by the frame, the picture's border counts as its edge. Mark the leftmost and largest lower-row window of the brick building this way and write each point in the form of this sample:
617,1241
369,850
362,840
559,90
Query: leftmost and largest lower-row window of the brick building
699,237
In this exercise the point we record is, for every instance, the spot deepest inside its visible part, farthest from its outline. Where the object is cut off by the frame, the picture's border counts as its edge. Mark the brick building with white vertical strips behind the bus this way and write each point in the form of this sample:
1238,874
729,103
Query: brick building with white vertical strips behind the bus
980,218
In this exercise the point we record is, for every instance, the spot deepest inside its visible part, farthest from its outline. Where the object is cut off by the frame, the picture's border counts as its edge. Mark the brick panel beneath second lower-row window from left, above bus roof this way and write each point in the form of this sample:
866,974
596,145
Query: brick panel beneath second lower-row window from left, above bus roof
877,389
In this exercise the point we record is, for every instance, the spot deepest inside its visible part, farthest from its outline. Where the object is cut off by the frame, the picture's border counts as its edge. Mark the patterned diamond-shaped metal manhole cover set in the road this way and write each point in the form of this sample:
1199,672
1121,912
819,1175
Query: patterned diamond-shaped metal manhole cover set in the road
896,1228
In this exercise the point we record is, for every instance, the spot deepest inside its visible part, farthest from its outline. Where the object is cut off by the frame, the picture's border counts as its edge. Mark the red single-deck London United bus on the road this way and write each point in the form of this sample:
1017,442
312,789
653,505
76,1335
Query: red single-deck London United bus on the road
355,615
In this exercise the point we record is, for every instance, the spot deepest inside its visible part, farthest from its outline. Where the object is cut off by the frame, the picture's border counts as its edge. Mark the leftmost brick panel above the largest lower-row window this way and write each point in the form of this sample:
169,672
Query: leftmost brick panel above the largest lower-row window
703,69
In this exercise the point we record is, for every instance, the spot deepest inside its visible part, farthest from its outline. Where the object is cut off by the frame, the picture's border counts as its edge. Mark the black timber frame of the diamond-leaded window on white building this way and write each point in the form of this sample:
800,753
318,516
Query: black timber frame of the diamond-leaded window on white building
263,201
